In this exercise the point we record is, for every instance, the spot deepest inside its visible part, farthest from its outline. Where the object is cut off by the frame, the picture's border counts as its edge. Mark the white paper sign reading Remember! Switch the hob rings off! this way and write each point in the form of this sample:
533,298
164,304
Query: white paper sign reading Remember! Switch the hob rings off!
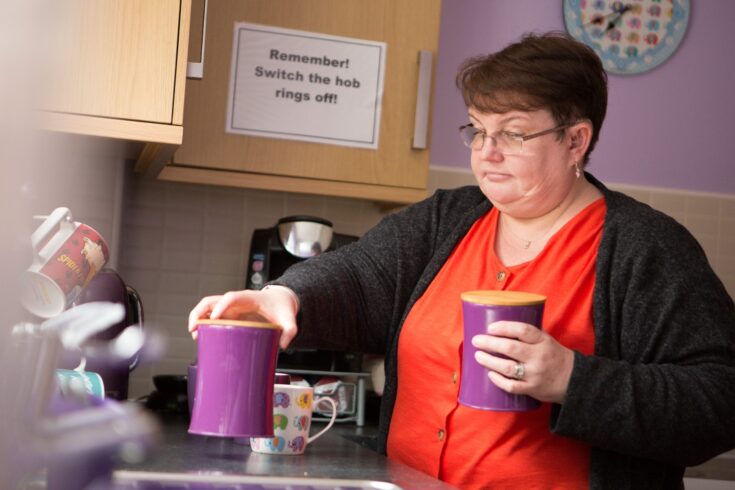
305,86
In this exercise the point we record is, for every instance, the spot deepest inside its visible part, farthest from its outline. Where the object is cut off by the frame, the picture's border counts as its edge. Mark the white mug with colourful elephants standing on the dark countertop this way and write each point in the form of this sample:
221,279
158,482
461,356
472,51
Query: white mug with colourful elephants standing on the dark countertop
292,409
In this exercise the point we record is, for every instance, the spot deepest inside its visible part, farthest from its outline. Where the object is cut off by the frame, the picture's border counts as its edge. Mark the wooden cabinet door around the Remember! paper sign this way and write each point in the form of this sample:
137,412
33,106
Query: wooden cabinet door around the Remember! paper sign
407,26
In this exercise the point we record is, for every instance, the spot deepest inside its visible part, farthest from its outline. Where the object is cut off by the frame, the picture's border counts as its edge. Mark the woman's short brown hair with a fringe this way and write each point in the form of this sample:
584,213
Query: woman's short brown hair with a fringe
548,71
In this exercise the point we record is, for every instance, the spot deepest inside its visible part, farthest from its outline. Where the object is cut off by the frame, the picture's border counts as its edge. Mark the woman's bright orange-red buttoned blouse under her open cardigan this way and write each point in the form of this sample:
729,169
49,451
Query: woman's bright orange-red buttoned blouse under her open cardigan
488,449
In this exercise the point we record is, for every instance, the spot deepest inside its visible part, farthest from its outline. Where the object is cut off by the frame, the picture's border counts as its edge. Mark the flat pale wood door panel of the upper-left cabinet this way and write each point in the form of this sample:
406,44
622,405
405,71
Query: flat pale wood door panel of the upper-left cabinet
118,59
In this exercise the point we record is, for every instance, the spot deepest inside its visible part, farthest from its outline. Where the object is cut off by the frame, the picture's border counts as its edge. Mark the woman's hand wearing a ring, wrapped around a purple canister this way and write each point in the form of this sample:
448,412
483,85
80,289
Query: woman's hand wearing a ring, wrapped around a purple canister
547,364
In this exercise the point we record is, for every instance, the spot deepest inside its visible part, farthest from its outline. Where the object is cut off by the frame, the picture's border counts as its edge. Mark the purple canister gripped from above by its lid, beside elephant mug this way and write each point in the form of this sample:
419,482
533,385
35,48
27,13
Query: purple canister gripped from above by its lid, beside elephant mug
236,365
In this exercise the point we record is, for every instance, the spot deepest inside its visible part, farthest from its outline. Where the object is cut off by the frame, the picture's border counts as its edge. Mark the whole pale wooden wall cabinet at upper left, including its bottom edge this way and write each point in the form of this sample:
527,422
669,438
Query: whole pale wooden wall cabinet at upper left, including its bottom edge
120,69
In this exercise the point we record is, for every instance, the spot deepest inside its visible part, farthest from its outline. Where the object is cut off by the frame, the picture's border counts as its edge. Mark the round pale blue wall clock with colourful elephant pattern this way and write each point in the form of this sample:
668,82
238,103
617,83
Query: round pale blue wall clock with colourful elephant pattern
631,36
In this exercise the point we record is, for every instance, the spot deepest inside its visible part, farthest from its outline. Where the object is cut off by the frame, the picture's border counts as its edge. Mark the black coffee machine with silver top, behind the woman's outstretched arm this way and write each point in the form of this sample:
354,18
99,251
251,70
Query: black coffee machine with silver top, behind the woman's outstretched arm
275,249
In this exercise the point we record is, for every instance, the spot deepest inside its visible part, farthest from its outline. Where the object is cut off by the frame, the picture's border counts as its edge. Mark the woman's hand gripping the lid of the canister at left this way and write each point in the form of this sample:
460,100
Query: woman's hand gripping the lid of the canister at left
276,304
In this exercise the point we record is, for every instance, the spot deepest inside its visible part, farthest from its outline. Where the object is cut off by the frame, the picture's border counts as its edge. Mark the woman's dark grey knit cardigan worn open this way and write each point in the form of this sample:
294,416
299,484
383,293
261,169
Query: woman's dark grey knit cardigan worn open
658,394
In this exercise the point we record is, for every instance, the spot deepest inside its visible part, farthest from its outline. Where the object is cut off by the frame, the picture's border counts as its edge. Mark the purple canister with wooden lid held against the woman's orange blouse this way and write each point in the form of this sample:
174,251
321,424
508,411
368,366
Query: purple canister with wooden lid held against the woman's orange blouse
480,309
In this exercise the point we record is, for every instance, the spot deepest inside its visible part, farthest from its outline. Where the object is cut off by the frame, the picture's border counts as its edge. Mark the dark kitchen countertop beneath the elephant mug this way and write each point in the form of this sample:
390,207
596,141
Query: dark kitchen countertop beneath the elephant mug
332,456
